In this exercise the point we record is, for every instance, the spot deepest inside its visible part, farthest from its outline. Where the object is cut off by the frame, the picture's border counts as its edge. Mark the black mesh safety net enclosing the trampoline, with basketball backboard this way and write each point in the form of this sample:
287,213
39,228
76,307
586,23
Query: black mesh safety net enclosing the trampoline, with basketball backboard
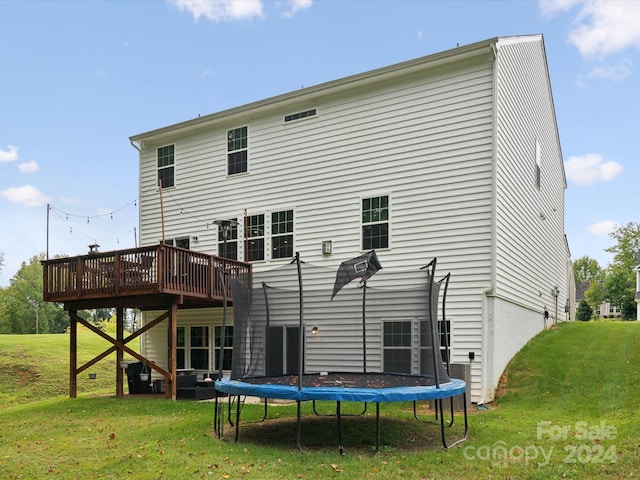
302,318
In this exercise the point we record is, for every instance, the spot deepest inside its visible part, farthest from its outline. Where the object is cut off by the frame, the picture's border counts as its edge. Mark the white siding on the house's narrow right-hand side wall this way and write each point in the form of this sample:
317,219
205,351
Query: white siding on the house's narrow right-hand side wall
531,253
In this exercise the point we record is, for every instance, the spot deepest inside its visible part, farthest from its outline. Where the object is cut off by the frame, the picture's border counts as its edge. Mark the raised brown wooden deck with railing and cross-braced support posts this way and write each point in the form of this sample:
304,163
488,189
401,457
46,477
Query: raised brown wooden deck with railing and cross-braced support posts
159,277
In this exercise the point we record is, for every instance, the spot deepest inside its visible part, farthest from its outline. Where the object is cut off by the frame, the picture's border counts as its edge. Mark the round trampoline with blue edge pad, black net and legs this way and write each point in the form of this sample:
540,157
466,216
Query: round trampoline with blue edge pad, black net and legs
271,304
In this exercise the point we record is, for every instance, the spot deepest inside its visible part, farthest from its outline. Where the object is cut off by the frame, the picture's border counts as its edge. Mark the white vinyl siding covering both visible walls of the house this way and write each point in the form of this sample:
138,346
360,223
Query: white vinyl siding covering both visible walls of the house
427,137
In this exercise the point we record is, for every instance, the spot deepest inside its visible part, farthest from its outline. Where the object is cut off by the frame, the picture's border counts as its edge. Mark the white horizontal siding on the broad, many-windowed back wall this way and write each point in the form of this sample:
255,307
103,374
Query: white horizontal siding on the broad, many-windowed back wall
439,174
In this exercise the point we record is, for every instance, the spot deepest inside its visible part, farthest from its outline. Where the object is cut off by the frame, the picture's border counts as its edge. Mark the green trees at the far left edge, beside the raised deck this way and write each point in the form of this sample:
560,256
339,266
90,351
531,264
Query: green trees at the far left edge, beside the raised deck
23,309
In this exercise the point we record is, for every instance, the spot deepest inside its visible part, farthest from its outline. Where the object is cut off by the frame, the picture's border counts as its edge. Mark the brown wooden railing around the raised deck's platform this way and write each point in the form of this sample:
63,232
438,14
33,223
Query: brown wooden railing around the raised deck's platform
159,269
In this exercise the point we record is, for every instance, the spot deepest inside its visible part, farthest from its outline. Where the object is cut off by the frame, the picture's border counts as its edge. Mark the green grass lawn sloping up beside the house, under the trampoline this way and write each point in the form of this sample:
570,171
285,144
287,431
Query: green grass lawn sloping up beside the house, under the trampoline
568,409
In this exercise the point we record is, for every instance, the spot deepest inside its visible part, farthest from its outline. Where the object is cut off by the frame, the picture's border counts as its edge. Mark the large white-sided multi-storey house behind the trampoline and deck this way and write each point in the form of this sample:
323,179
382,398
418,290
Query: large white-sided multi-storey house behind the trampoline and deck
455,155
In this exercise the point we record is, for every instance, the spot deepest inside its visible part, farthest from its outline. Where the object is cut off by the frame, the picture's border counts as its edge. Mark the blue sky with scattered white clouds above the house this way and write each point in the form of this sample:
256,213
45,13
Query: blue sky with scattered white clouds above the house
78,78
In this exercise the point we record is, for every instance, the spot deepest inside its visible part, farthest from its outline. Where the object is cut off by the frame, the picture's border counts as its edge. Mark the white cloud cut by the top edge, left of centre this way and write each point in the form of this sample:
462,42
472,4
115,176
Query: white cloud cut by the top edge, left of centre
221,10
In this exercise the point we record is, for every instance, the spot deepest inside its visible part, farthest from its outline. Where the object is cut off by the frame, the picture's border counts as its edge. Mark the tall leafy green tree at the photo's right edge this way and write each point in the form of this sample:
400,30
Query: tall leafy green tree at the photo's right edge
620,280
